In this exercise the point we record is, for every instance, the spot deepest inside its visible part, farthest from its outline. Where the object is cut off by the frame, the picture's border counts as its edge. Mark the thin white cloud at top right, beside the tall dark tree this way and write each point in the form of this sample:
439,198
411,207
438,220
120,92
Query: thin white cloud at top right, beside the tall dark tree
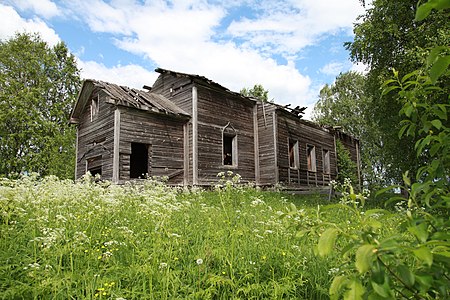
285,29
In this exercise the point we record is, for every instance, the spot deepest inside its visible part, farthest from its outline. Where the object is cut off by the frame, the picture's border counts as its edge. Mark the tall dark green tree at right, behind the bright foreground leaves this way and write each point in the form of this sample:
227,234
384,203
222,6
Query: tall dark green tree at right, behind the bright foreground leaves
386,38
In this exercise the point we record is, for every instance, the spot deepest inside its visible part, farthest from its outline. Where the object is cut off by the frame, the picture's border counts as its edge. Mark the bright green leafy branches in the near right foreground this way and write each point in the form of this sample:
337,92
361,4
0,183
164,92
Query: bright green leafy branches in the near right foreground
414,263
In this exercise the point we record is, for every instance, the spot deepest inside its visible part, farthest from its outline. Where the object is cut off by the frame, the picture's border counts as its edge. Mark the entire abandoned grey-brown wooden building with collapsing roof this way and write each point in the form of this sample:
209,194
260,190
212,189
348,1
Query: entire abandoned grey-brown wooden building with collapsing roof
188,128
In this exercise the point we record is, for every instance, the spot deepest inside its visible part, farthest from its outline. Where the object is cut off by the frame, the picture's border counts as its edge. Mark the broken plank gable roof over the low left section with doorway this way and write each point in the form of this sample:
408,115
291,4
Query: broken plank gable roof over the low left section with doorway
125,96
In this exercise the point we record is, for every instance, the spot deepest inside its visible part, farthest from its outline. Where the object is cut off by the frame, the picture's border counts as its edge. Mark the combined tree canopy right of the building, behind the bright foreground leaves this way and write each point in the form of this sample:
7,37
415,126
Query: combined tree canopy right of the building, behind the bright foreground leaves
387,37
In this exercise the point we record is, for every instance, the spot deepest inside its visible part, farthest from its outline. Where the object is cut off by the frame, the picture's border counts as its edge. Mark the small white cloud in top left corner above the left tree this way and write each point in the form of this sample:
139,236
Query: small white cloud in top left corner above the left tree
11,22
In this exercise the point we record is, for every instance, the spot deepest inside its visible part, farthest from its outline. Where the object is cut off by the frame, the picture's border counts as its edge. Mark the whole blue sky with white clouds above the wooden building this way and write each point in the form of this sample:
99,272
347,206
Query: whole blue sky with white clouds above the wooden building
292,47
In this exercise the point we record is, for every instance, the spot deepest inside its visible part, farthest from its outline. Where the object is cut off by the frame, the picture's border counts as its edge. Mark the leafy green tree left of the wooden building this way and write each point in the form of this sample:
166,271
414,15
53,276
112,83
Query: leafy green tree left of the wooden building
38,86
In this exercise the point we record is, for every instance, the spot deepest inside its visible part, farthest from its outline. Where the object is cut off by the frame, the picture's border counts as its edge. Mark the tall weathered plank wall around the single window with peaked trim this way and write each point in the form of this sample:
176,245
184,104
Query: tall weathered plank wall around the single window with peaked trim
216,109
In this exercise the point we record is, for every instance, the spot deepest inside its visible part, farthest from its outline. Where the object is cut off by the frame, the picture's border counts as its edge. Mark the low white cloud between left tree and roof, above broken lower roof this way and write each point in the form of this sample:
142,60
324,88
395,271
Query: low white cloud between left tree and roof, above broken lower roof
130,75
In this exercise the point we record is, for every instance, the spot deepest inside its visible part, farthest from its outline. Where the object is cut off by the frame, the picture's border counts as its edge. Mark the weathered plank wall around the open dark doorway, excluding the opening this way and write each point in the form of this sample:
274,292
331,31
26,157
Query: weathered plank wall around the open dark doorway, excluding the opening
163,134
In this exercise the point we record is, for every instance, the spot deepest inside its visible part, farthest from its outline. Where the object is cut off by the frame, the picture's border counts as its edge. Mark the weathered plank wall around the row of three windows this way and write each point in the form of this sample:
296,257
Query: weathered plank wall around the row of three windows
290,127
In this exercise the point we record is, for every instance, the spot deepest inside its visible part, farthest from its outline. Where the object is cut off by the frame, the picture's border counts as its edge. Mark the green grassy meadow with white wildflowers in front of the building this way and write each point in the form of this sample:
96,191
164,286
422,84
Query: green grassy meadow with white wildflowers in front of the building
87,240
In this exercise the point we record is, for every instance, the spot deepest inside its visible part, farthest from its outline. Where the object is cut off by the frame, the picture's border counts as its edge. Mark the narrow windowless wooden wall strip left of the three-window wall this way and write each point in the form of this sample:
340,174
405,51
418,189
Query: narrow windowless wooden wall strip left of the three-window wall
267,162
